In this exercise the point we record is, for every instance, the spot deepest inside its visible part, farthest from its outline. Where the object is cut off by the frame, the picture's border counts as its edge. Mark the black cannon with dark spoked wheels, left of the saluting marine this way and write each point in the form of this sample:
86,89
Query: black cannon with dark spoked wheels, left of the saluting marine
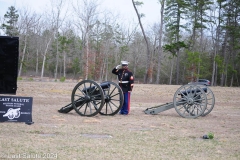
90,98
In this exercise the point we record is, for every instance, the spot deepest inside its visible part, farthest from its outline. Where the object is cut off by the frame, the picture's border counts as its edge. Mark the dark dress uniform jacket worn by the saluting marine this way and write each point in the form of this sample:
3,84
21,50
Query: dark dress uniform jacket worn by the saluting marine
125,78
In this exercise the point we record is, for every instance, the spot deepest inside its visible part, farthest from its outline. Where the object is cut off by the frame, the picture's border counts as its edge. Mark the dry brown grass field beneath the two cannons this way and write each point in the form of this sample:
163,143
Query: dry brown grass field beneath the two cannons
136,136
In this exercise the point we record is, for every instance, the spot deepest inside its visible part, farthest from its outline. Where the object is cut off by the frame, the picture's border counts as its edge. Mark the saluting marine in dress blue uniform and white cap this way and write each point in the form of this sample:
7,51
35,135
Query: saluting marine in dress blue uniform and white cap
126,82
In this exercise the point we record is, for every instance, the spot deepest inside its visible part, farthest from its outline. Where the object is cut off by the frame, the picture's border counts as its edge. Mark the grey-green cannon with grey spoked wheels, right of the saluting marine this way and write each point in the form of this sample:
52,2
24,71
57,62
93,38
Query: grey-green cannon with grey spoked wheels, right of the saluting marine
190,101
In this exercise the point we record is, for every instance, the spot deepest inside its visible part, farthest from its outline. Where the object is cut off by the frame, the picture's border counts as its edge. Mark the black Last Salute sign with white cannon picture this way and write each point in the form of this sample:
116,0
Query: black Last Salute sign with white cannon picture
16,109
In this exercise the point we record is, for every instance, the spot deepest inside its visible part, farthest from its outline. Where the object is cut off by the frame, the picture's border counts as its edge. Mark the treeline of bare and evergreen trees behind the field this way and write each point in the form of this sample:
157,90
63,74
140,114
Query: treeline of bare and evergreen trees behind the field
193,39
